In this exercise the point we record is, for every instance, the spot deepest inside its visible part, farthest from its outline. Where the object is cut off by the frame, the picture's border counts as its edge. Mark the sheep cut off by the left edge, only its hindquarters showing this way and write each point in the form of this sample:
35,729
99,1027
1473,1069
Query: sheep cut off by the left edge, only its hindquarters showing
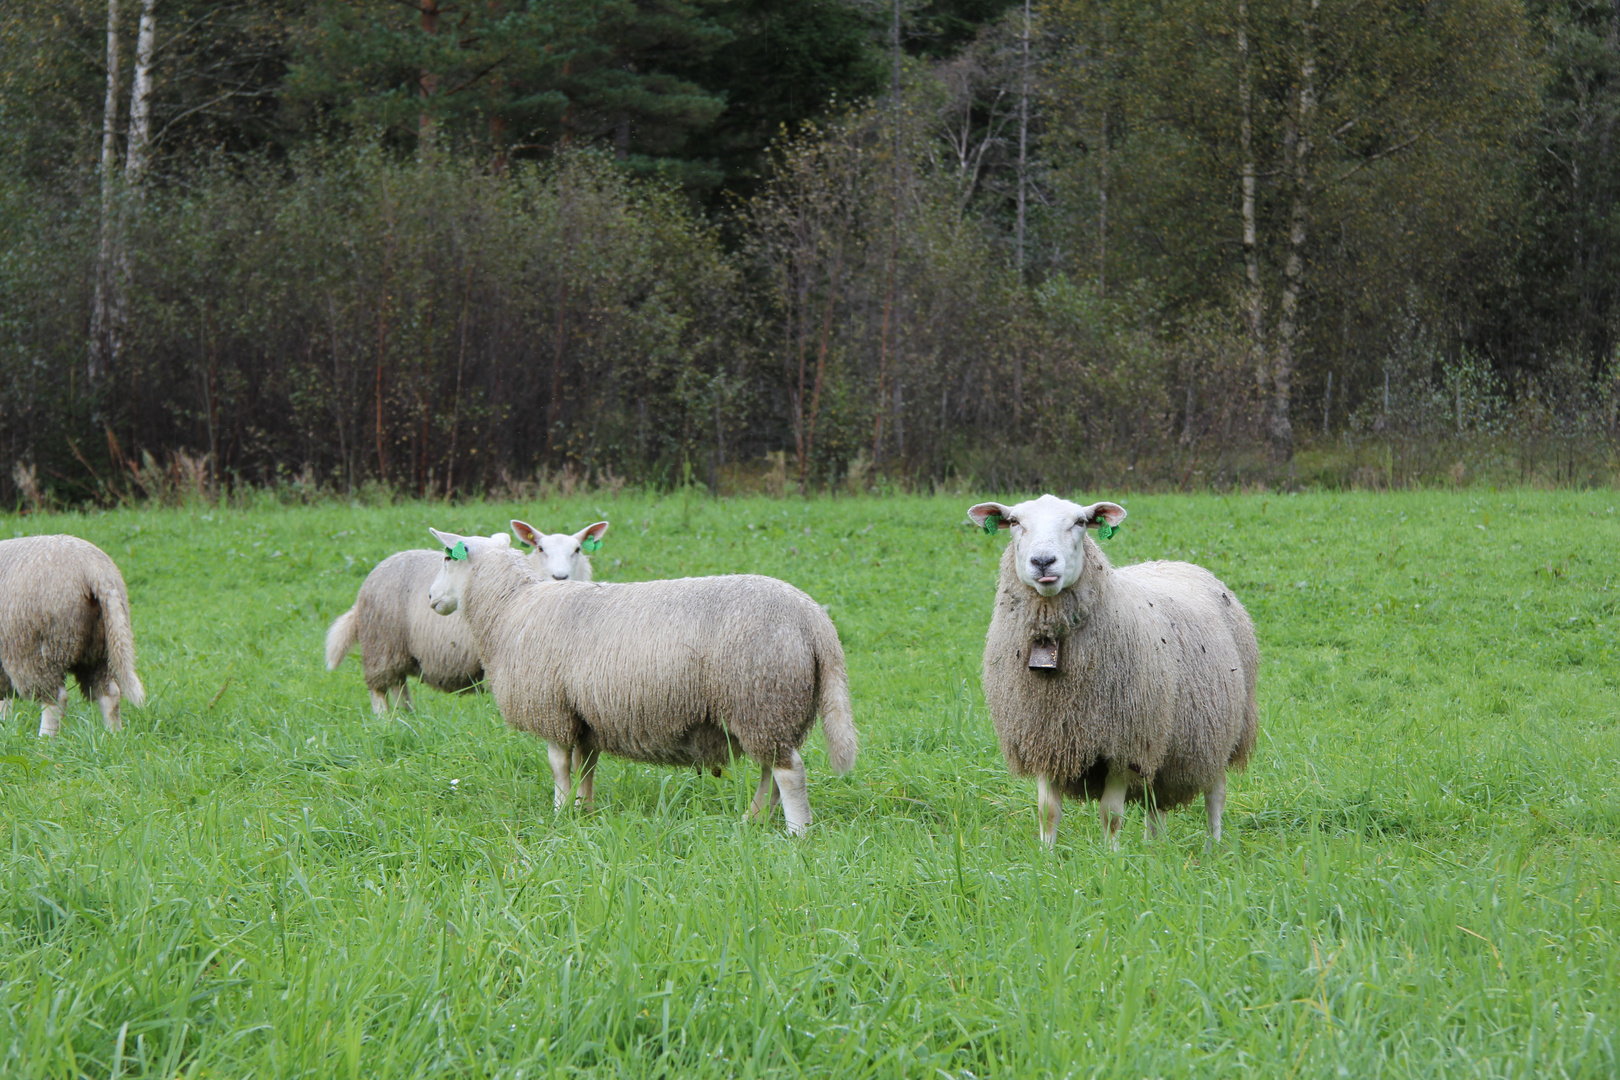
64,608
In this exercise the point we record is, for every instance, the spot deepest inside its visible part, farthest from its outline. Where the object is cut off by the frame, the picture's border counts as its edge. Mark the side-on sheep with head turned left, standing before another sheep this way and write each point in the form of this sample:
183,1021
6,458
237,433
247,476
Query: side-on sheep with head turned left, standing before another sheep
686,673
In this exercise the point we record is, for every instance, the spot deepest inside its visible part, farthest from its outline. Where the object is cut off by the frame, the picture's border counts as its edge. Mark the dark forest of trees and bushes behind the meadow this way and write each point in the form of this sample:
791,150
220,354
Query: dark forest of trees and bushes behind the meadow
791,245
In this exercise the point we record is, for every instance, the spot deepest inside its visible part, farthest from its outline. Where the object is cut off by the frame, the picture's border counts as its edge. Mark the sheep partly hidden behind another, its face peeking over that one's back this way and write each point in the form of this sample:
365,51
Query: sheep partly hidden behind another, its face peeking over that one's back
399,636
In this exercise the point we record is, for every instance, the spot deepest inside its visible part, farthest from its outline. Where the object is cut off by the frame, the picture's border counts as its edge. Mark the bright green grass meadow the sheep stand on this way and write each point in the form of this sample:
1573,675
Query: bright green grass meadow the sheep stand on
262,878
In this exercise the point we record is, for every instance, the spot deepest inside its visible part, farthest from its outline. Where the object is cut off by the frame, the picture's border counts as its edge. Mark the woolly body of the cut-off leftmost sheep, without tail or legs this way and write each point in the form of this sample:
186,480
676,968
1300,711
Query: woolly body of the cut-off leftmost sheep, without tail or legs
49,618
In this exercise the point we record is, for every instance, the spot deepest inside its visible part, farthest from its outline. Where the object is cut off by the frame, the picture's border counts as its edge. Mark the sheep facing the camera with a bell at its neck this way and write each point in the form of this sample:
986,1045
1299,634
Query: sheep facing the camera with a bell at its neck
1114,682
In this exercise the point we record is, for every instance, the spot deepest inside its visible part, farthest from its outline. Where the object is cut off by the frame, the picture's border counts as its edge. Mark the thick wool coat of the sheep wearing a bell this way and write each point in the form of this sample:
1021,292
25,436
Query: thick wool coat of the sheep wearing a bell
1157,668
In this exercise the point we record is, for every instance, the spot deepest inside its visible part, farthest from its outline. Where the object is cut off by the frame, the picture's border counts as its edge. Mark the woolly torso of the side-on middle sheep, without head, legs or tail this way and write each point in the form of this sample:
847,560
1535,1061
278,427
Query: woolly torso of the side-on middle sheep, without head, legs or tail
657,670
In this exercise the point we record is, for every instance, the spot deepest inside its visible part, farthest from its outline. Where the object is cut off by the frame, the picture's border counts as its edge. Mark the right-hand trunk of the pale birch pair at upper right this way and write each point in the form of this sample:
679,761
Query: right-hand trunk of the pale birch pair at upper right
1281,430
